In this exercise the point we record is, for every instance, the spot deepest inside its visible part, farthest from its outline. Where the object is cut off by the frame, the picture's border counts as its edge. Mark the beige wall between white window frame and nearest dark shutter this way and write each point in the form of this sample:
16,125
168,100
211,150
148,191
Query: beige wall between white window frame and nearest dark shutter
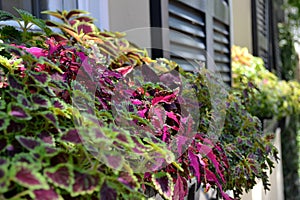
132,17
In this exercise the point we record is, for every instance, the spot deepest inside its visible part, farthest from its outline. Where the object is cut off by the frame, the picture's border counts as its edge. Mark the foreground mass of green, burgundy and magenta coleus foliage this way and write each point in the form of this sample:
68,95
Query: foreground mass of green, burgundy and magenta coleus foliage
88,116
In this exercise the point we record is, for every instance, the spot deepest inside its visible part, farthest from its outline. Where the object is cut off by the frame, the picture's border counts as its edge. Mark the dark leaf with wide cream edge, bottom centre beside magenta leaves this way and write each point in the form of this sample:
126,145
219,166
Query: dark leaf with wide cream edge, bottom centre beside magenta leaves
163,183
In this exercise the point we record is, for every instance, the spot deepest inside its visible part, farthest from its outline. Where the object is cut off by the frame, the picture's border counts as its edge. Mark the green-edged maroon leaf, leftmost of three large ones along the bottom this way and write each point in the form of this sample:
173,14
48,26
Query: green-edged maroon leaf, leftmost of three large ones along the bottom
28,176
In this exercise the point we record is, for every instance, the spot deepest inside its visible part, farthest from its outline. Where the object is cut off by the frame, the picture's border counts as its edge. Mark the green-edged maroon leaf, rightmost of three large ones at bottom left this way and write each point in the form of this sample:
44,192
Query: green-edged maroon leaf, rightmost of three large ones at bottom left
85,183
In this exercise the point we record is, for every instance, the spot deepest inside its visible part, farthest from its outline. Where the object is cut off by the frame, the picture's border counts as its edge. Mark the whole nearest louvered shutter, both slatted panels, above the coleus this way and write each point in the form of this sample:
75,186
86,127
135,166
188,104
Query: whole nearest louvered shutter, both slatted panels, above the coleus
200,30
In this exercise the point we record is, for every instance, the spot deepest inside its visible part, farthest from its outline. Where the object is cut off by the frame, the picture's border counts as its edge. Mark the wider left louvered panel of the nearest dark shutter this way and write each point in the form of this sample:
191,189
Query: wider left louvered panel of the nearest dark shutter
187,34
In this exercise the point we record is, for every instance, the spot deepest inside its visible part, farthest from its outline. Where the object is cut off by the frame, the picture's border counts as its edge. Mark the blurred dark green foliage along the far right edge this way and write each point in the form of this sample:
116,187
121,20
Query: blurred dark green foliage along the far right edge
289,38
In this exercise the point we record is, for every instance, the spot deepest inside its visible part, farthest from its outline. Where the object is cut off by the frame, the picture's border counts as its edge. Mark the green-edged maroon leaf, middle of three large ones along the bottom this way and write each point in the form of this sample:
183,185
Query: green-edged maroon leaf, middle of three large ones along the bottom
61,176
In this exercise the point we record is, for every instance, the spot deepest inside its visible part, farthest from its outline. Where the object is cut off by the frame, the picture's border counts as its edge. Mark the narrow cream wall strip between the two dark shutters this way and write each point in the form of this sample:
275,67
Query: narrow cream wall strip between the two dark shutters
242,31
